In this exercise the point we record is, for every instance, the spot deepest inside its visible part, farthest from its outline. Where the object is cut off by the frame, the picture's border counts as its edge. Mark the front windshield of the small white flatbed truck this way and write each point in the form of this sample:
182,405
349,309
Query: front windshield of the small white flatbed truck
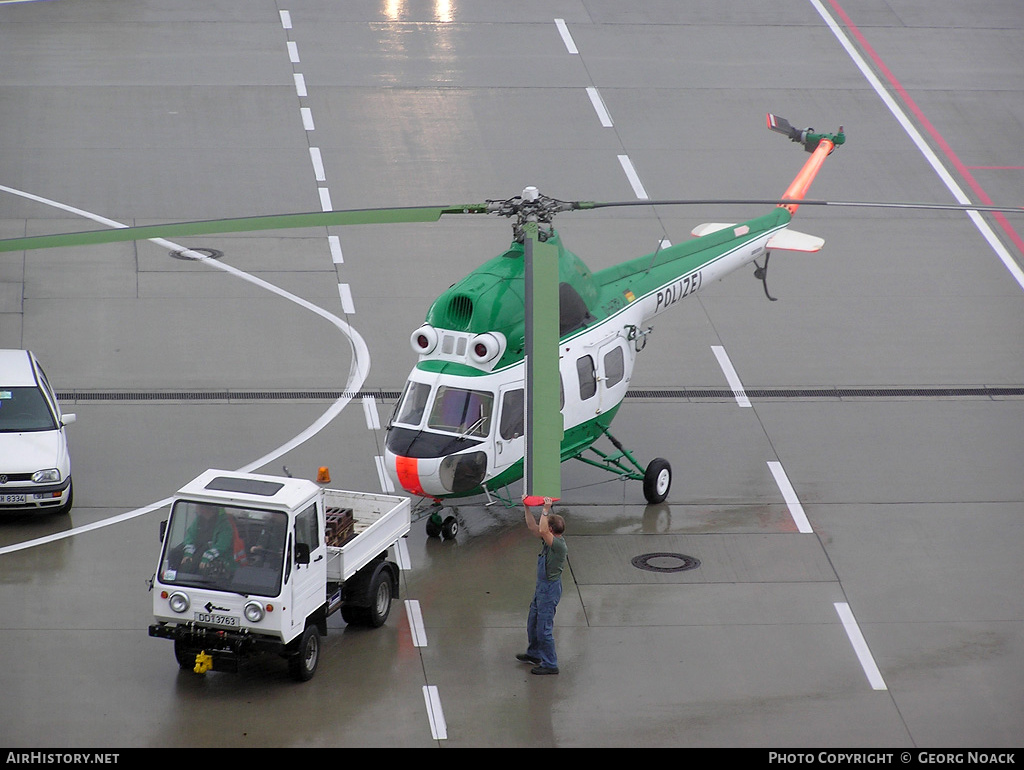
225,548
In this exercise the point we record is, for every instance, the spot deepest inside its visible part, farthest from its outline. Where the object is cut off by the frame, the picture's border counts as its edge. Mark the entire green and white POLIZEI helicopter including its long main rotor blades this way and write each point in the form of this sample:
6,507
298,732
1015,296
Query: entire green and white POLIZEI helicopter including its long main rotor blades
524,364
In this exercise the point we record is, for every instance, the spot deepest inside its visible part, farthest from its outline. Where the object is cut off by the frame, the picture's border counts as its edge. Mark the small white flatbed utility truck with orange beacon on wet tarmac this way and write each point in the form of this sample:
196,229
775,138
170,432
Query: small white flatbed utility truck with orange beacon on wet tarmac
255,564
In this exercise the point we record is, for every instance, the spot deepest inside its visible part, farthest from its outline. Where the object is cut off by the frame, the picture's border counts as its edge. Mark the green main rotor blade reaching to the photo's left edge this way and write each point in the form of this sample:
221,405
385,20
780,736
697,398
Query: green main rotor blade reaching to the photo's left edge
242,225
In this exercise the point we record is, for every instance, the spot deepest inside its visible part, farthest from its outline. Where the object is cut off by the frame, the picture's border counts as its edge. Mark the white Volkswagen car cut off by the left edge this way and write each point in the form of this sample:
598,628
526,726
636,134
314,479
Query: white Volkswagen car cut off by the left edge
35,466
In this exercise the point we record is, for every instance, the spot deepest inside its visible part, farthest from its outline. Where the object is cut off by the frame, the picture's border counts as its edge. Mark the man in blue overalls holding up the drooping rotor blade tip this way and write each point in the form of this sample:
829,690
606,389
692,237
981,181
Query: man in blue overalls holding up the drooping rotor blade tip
550,563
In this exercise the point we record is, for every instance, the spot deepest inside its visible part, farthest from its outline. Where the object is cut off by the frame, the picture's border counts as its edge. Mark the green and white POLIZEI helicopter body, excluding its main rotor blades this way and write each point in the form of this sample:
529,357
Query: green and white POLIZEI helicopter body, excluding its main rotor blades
459,427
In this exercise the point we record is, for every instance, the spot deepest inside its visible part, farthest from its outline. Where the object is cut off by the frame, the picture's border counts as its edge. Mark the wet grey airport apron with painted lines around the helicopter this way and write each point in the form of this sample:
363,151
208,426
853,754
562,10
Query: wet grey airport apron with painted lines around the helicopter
854,515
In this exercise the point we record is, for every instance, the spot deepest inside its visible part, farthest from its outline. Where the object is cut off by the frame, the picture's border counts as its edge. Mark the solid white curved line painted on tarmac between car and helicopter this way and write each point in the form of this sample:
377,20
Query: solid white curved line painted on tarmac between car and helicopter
357,376
